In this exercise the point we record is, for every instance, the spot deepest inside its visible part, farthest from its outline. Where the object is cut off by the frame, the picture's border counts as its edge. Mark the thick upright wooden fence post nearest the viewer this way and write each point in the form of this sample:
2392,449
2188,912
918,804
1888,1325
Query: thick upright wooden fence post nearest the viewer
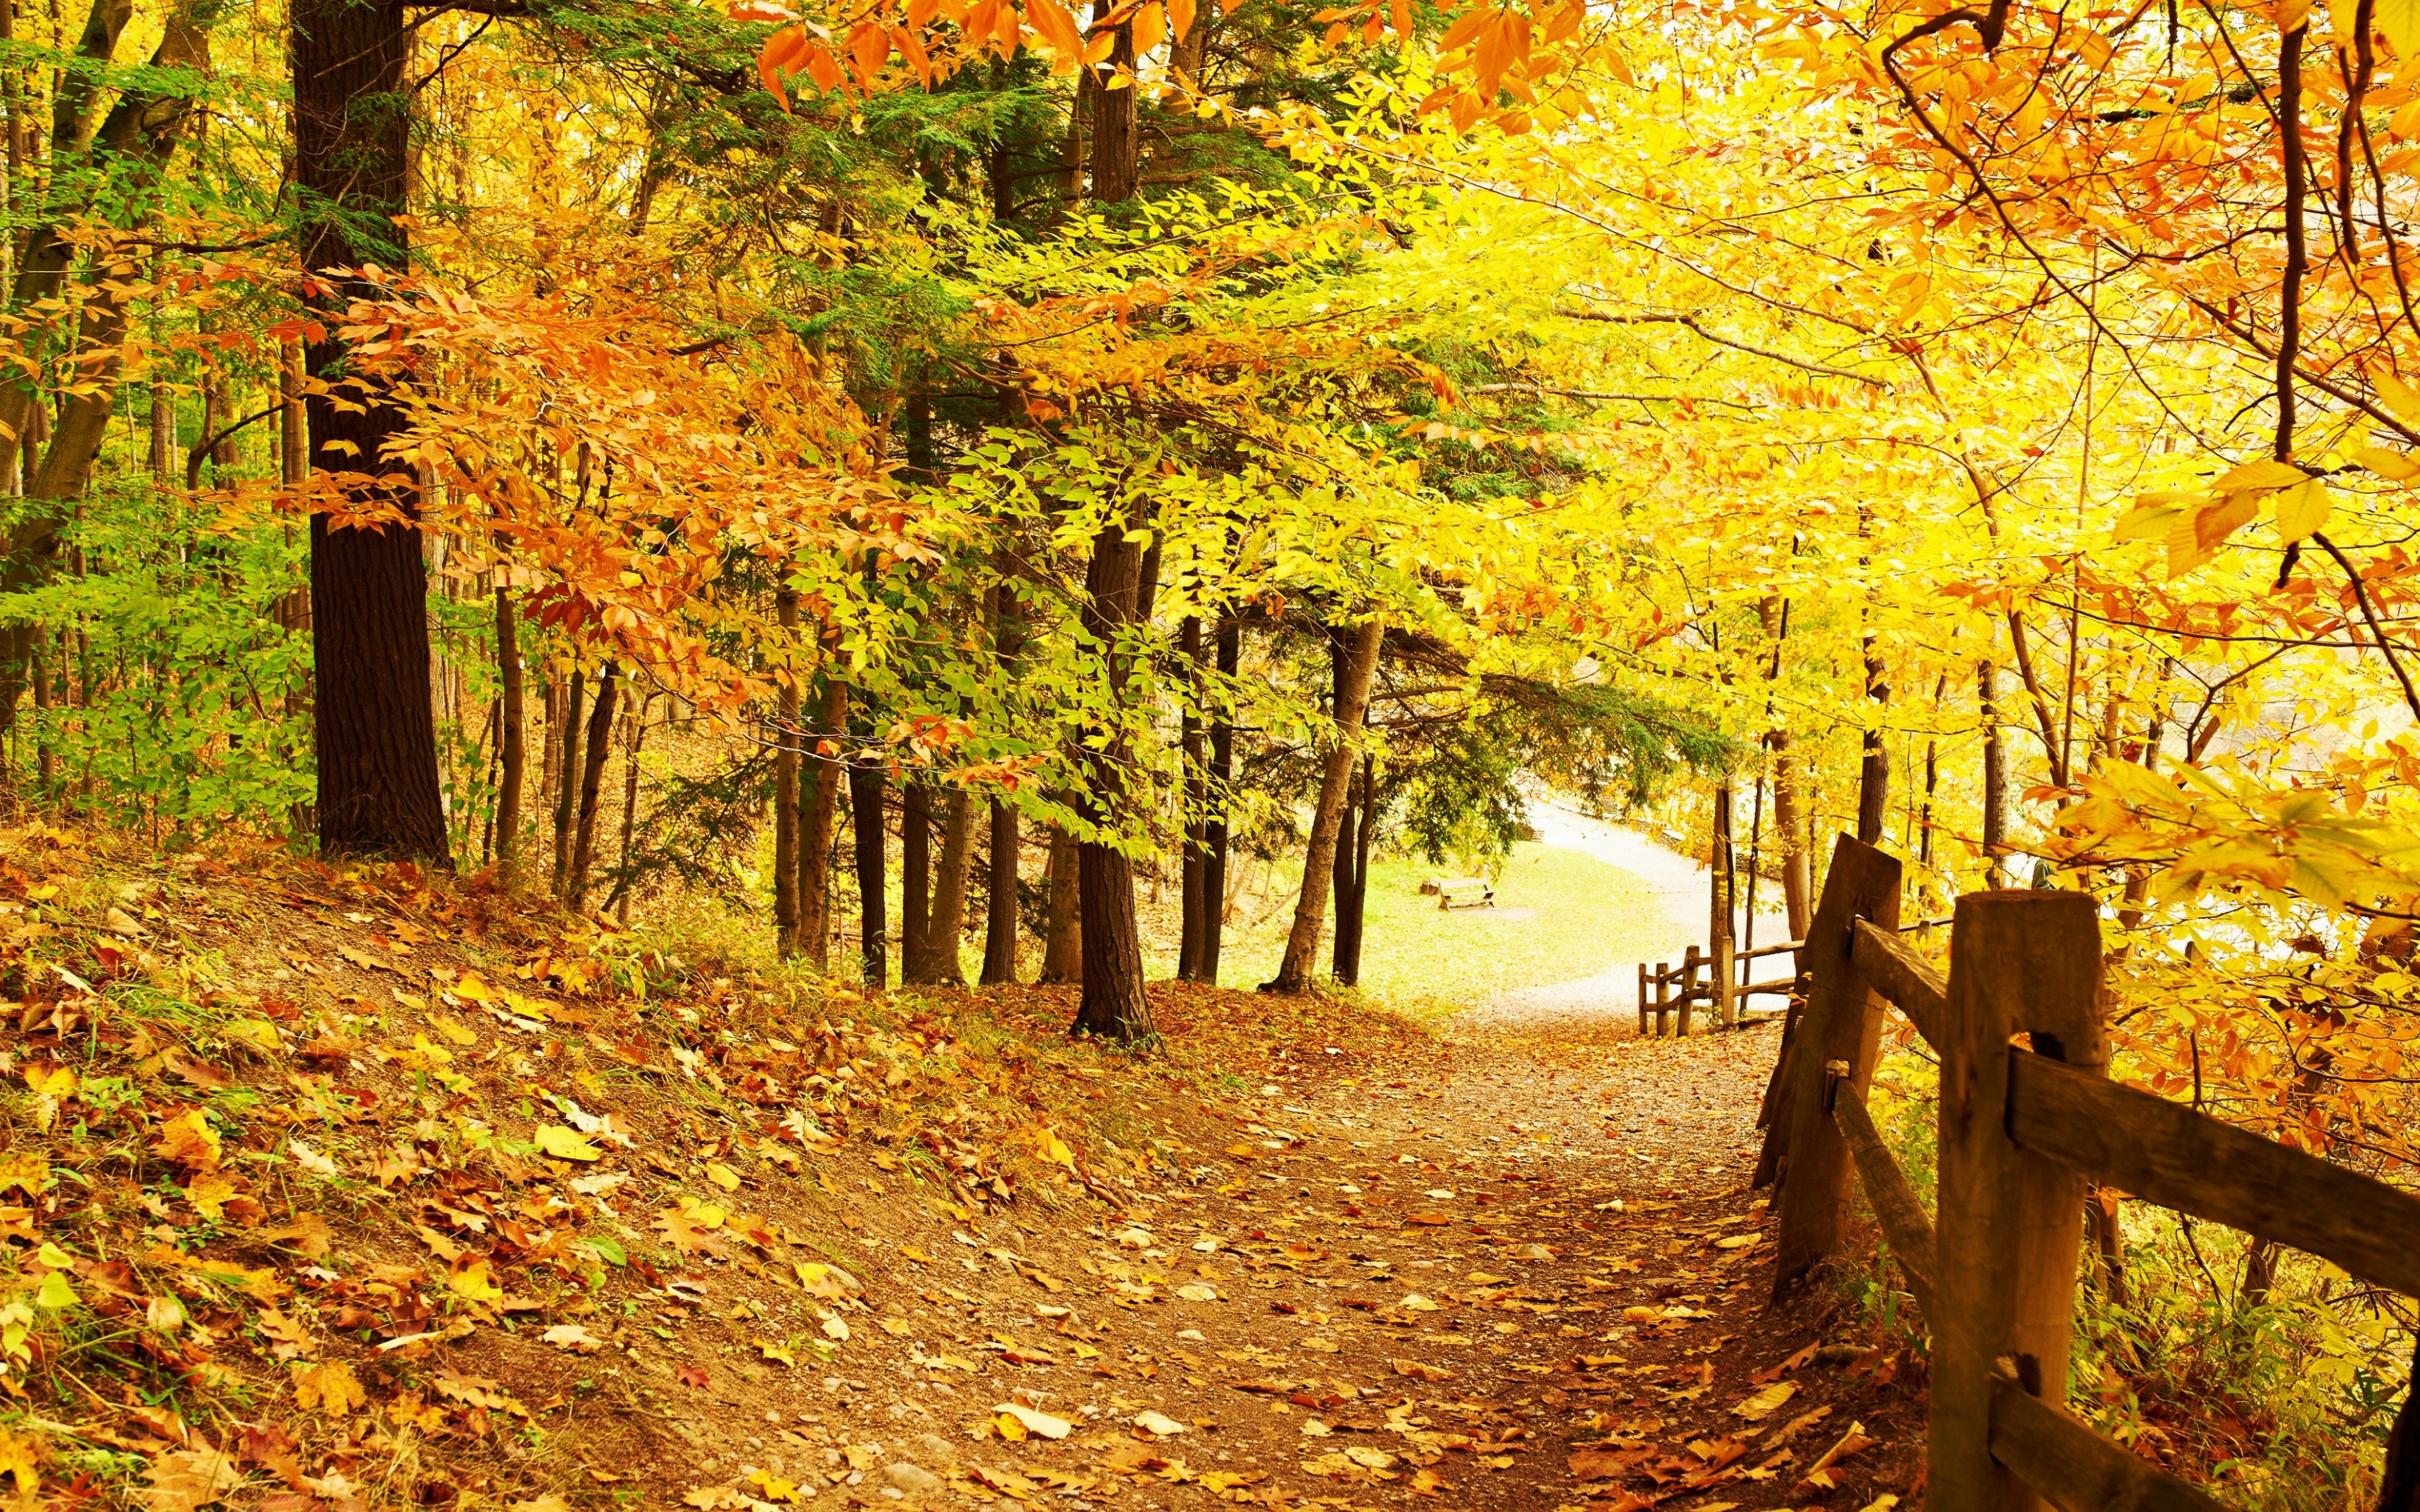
2010,1220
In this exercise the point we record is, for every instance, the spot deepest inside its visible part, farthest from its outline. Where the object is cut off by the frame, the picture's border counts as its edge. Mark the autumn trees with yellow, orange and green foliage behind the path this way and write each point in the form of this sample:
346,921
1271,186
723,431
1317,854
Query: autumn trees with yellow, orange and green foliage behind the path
655,456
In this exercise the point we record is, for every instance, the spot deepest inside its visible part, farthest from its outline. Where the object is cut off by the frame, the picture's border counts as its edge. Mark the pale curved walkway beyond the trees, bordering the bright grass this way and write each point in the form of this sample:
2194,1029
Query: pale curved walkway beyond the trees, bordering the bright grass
1681,887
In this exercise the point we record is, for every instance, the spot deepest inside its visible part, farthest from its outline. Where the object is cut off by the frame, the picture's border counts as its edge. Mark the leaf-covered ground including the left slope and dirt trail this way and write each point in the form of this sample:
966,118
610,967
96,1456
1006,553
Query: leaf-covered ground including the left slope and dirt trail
345,1189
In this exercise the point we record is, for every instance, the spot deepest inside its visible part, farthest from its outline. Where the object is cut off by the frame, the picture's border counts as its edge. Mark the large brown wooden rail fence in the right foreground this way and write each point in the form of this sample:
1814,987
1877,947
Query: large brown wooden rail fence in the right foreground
2029,1119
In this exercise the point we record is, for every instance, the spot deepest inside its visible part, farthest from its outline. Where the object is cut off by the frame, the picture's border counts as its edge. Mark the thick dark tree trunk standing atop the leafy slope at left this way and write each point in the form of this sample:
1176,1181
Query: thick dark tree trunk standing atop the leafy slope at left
376,732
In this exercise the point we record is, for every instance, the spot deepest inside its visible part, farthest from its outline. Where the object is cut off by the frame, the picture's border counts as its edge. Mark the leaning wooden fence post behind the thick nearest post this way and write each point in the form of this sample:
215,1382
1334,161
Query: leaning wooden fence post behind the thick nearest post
1843,1022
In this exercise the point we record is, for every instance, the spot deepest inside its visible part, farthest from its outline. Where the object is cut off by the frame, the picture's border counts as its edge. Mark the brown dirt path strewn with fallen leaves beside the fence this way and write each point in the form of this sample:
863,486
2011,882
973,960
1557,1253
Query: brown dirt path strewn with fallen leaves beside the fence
1480,1271
